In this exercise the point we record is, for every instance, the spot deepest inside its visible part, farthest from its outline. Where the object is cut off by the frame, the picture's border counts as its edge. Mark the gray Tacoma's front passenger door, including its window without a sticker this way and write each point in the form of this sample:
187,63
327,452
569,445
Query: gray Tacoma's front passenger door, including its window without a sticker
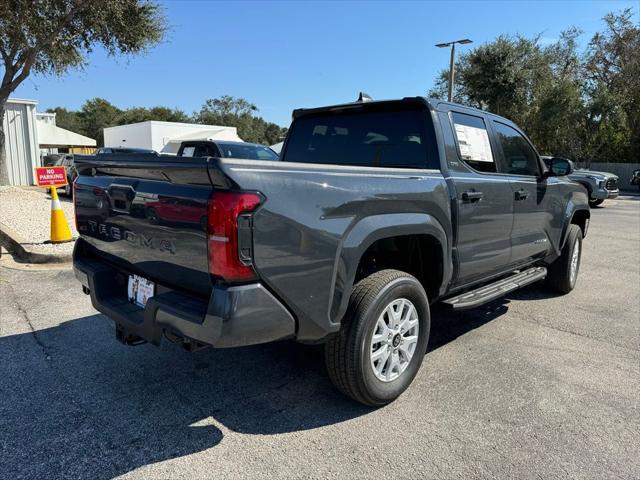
532,194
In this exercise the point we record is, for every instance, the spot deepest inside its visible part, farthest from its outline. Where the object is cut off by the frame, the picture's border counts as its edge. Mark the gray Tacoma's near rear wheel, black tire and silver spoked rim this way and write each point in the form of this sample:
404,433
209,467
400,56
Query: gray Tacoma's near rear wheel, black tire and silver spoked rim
383,340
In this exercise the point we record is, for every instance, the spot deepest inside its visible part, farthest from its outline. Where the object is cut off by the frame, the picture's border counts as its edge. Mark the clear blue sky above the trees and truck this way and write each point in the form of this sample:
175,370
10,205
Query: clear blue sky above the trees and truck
285,55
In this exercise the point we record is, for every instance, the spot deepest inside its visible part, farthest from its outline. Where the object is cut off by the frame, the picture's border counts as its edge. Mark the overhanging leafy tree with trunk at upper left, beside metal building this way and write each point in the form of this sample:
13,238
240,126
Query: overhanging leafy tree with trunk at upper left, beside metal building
52,36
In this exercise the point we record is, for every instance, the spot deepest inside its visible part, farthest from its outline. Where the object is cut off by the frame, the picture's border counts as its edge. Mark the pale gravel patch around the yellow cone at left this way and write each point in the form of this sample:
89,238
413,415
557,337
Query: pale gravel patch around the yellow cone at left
27,211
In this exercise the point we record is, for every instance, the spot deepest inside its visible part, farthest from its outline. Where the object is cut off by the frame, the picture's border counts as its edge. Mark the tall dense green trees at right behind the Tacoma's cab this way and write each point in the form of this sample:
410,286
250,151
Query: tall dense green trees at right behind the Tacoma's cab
585,106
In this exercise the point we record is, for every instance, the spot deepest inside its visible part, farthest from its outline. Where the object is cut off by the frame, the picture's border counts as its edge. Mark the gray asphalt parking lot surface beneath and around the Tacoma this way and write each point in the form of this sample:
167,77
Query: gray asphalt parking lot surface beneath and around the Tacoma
532,386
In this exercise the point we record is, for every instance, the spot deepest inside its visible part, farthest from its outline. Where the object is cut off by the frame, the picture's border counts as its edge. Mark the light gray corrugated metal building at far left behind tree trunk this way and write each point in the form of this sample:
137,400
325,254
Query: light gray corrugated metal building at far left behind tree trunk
21,140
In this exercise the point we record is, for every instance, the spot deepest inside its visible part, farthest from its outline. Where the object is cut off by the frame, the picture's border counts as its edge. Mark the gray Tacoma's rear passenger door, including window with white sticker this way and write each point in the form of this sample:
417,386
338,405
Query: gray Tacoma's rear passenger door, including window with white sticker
483,197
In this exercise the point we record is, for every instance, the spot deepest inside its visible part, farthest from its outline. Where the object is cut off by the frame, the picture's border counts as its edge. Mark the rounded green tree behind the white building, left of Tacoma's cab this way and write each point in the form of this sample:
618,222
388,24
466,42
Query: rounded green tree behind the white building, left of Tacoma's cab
238,112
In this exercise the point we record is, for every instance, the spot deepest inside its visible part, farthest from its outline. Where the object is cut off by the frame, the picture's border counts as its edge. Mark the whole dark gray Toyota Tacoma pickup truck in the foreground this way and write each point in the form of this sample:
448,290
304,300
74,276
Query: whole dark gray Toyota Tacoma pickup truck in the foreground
374,211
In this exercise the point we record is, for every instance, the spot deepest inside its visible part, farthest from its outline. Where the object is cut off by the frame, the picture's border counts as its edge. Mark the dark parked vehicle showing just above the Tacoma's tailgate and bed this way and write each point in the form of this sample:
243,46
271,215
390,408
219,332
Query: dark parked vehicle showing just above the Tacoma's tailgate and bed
226,149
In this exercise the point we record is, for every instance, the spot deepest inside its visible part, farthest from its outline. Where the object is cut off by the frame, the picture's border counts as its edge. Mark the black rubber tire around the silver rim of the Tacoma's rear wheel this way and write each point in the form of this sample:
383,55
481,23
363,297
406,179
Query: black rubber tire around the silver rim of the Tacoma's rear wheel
348,354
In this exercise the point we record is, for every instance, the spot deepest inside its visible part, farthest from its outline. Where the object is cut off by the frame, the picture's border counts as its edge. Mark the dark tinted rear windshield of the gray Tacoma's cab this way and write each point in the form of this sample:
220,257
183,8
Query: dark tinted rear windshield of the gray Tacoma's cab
379,139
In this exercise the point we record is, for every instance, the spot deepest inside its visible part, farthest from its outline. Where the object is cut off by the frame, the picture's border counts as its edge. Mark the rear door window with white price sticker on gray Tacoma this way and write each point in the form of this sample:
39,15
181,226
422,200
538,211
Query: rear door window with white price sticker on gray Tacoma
473,142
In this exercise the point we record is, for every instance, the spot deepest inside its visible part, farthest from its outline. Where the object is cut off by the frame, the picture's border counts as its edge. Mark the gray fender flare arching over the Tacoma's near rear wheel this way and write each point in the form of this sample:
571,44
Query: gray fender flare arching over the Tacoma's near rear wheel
369,230
